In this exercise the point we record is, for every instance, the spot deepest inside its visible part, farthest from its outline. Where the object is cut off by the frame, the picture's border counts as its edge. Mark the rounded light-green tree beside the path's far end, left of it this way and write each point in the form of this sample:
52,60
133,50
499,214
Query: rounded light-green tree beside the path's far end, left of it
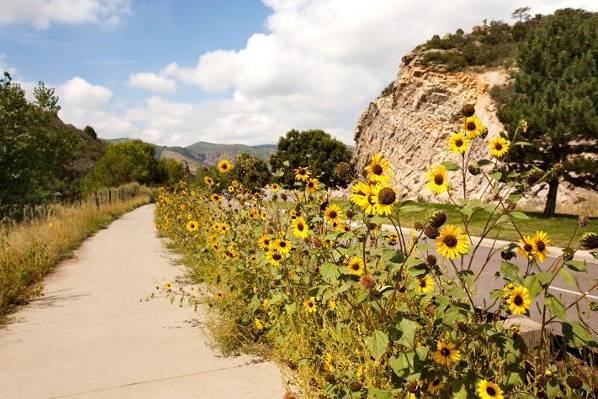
126,162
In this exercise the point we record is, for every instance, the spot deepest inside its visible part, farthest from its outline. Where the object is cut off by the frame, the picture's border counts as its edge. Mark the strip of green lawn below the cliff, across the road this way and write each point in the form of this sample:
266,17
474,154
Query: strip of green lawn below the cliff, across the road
559,228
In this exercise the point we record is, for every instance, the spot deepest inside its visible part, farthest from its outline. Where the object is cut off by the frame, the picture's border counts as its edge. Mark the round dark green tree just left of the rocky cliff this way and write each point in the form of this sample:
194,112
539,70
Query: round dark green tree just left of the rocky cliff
315,149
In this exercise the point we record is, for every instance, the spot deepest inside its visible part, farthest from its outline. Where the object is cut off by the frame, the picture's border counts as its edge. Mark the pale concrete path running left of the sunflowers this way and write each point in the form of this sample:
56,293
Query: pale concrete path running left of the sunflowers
90,336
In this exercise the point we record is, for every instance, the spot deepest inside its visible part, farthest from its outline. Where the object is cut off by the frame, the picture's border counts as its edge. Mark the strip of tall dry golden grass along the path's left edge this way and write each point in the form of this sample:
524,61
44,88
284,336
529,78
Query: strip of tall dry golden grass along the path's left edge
28,251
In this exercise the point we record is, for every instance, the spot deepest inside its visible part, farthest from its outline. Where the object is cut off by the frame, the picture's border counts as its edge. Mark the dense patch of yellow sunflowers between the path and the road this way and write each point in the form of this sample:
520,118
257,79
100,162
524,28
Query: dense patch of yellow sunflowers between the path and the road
357,311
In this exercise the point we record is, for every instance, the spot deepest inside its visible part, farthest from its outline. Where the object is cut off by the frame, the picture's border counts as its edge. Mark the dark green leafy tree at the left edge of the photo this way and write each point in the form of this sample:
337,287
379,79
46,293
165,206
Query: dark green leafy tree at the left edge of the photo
33,151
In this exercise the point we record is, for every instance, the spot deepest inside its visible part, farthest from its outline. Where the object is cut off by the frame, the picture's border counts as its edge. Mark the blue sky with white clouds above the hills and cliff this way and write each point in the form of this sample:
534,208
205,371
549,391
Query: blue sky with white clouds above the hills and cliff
226,71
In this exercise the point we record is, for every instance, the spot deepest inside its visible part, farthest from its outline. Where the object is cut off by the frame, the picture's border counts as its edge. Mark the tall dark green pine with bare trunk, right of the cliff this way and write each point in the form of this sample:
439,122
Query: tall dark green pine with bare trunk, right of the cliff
556,90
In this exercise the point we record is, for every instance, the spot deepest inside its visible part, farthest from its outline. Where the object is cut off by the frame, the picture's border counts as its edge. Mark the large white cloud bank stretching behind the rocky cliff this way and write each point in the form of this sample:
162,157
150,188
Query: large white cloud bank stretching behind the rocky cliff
317,65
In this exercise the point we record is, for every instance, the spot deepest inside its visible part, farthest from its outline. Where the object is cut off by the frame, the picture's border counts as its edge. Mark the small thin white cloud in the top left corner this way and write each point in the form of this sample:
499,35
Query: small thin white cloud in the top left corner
41,13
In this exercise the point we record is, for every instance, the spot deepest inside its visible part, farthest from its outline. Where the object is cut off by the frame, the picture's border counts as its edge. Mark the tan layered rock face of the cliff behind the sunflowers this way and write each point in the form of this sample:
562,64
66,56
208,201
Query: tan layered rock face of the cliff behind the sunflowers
411,120
